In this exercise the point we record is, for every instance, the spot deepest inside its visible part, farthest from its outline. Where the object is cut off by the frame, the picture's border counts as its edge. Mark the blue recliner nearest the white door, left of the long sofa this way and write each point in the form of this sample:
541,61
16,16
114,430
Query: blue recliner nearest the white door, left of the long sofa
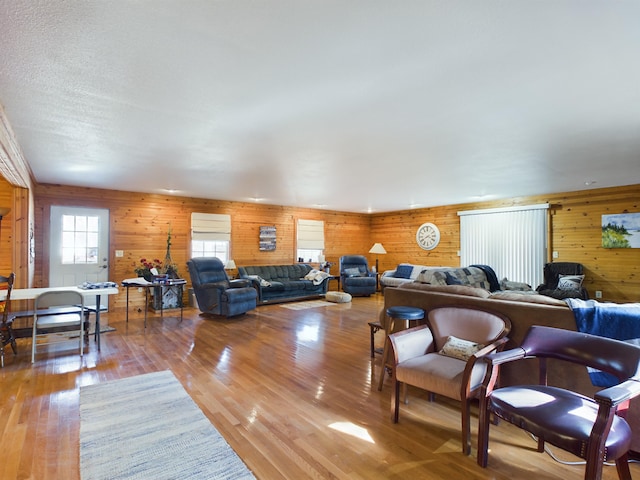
215,293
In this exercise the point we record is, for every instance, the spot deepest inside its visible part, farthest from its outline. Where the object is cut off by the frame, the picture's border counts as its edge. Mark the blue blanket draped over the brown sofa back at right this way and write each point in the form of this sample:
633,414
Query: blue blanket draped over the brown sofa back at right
620,321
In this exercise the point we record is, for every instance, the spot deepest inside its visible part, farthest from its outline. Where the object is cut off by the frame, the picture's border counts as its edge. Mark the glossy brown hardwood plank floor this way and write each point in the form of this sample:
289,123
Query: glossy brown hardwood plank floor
294,392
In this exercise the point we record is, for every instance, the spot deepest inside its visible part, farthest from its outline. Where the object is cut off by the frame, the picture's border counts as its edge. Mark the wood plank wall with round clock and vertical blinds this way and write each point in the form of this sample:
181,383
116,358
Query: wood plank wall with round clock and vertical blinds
576,219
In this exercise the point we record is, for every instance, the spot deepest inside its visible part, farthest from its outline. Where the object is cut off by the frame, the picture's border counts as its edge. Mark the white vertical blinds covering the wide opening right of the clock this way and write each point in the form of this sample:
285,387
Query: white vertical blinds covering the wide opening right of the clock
513,241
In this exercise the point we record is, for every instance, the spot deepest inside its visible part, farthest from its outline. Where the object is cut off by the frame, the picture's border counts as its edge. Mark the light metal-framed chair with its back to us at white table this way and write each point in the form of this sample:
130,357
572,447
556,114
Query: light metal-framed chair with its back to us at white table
58,312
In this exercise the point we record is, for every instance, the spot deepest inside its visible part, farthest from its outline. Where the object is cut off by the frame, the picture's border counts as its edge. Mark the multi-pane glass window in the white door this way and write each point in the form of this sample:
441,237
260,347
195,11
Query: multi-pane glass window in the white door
79,239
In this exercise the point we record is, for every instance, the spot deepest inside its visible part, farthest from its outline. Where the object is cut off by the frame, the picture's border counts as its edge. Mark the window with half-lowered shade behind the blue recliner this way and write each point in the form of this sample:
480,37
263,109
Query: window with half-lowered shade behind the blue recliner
210,235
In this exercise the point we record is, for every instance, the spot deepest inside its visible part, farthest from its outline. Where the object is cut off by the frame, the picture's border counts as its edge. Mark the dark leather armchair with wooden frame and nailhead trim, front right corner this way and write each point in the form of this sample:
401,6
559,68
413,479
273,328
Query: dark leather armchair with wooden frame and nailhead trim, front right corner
590,428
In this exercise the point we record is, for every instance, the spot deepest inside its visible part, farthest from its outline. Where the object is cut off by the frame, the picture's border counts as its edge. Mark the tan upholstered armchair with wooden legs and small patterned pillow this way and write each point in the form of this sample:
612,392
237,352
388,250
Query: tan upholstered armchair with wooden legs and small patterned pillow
442,357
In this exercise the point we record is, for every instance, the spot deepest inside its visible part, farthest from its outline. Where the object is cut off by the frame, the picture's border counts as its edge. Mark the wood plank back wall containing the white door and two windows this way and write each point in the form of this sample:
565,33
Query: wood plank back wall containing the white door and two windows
140,222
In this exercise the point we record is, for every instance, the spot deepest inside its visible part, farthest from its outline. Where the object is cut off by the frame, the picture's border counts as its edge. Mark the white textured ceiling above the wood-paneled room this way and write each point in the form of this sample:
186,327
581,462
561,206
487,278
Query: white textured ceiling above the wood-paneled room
352,105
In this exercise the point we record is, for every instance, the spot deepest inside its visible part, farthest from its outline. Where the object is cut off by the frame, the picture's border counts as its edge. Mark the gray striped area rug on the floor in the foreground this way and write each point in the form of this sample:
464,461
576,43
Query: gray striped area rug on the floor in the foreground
148,427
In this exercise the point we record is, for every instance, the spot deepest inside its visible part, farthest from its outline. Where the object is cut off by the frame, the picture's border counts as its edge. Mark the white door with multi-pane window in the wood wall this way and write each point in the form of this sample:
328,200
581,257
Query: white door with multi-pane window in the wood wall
79,246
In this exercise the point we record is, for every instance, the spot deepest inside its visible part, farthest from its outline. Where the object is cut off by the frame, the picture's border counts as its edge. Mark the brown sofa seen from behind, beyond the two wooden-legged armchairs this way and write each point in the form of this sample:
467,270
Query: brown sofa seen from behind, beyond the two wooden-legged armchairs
523,310
